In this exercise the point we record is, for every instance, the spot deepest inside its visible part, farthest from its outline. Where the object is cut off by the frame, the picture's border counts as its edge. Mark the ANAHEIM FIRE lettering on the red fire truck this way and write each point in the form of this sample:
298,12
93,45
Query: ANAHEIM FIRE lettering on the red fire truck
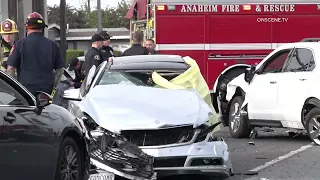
210,8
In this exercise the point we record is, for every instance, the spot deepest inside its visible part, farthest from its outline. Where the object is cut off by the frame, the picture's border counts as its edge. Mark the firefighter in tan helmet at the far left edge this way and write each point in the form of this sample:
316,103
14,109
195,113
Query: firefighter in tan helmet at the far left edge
8,30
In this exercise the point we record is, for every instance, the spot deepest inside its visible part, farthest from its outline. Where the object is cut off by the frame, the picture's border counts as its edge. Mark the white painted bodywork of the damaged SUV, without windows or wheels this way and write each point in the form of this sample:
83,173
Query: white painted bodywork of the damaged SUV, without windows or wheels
280,96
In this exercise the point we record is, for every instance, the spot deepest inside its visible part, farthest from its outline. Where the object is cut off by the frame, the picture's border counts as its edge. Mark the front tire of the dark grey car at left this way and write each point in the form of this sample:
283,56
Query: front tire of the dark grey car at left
69,145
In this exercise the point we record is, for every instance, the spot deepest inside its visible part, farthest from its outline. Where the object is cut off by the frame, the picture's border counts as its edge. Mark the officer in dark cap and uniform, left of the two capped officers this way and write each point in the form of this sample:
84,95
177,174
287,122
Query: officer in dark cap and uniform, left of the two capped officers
93,56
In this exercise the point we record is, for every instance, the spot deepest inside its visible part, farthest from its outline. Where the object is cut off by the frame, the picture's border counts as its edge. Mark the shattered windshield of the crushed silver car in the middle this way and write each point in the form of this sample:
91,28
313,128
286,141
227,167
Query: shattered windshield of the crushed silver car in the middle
116,77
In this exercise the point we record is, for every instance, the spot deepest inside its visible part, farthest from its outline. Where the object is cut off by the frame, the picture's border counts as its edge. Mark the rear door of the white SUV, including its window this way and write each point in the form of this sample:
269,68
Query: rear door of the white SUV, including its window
294,87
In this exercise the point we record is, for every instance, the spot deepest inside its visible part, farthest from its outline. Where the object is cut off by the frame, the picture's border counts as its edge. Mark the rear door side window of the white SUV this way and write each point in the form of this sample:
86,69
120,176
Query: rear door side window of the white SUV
301,60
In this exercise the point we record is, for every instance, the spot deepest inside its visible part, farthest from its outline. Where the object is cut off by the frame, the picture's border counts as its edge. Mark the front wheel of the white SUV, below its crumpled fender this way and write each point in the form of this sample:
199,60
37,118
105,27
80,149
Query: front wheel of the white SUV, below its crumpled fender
241,129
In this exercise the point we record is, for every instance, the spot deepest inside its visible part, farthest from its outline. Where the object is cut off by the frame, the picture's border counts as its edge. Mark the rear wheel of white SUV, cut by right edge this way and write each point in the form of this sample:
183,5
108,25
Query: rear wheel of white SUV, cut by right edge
313,133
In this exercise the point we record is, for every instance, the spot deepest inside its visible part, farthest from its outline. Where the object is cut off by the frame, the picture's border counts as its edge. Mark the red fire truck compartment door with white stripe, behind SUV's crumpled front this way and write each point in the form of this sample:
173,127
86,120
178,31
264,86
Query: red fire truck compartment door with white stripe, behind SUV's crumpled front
232,36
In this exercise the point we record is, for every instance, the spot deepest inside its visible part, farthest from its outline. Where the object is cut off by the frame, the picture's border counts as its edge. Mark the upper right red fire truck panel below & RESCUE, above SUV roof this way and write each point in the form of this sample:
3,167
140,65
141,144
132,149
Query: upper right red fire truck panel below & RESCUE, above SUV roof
296,27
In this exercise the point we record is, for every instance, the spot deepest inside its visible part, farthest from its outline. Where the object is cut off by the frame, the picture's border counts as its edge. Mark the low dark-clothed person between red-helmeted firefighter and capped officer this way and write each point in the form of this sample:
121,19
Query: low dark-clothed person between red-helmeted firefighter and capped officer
76,65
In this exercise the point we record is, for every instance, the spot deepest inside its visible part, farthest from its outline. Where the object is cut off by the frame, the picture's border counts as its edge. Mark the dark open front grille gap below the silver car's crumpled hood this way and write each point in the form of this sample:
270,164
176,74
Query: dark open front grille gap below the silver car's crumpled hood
159,136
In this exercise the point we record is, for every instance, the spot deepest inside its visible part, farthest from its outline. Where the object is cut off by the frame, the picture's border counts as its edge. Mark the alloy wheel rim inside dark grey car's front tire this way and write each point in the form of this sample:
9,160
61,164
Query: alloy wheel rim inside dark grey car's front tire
69,164
